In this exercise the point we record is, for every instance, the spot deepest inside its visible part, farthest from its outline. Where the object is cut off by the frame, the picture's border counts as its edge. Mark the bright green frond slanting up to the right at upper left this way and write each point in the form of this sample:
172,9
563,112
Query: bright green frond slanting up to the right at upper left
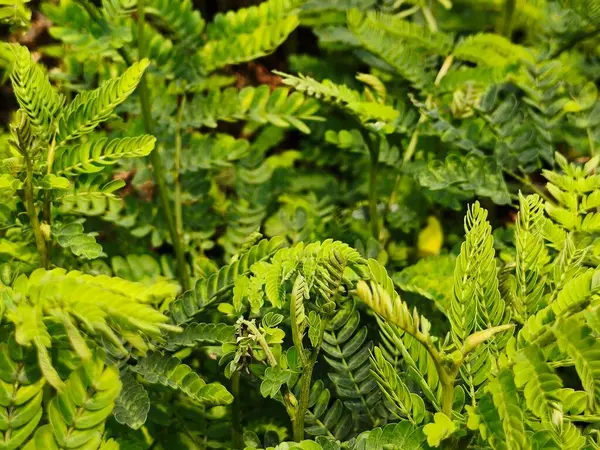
90,108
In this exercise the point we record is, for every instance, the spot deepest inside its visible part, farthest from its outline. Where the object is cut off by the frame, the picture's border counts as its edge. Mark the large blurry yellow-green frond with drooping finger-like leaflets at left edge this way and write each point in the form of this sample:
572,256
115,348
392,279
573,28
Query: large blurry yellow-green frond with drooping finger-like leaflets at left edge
100,305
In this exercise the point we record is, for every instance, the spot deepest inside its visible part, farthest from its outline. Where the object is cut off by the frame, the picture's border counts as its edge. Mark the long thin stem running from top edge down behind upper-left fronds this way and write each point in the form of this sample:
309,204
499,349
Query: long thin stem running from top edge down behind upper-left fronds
156,160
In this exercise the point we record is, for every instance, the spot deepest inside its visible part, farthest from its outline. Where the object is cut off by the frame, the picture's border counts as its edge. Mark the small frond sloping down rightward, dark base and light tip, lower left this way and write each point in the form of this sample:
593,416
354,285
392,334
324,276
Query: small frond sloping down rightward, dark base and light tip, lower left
171,372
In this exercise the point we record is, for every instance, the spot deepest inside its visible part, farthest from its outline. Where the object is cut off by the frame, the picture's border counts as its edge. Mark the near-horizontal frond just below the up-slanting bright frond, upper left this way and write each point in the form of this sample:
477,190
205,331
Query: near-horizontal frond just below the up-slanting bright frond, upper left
93,156
